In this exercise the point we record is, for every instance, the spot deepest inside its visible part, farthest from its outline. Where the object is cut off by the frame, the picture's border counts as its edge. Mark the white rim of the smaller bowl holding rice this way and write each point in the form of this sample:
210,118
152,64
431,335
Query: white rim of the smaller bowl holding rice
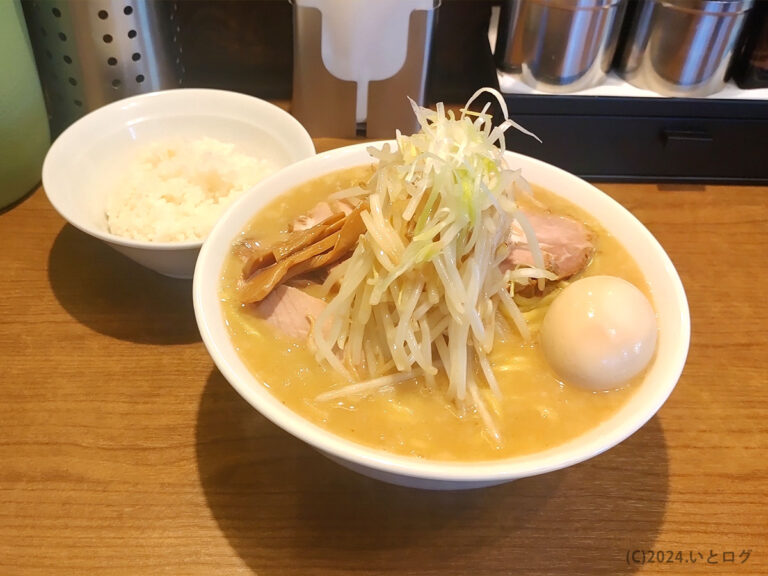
59,147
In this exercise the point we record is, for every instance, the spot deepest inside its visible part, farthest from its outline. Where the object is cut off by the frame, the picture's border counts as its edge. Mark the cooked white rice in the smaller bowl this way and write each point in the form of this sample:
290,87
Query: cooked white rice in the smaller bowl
176,191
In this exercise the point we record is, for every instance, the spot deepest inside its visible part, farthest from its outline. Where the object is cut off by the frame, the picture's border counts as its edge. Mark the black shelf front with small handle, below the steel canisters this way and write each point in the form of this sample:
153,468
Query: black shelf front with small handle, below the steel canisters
646,139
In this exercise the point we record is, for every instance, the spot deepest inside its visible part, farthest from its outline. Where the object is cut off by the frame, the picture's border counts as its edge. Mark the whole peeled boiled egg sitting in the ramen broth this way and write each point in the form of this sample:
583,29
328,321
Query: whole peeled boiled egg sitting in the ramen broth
599,332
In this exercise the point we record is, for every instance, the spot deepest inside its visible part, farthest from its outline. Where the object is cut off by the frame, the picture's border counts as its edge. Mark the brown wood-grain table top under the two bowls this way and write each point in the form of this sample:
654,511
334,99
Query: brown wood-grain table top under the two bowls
124,451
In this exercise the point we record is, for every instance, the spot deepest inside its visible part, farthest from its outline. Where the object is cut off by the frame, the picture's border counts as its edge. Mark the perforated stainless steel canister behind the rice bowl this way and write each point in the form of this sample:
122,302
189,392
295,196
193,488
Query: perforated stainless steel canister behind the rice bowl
92,52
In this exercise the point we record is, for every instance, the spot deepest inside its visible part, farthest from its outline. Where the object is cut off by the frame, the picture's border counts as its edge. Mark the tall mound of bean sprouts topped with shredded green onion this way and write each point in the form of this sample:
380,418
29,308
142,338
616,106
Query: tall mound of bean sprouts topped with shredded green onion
423,287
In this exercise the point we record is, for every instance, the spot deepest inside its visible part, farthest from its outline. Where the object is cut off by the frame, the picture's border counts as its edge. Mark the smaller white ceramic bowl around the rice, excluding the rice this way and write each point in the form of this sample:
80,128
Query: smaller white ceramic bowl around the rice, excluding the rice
87,160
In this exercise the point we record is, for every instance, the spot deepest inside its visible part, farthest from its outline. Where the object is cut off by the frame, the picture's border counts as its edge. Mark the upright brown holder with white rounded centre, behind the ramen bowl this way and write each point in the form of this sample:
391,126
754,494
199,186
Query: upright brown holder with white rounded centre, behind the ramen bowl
355,61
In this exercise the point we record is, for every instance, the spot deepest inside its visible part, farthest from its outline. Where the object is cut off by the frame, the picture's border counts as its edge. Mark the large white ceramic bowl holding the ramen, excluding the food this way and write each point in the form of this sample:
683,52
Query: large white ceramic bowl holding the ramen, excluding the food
668,294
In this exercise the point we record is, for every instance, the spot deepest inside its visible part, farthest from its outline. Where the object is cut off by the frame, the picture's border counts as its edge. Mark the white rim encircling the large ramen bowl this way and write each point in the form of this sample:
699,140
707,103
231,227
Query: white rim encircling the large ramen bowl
467,472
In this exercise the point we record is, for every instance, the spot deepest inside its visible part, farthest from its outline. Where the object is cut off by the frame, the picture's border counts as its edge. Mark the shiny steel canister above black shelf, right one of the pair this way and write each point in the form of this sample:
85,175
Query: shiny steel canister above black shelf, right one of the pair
682,47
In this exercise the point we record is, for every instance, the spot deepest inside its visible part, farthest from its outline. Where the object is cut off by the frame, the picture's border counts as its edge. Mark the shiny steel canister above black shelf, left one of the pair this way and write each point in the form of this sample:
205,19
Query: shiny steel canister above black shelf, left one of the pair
559,45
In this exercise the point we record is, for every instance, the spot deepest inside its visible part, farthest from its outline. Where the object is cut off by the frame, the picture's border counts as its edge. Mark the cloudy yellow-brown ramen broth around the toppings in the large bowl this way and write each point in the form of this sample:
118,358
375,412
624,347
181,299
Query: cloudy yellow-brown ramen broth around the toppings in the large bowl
536,411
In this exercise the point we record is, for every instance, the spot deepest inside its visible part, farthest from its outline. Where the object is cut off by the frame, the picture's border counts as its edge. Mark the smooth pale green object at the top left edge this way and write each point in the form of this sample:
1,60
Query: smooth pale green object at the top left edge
24,132
